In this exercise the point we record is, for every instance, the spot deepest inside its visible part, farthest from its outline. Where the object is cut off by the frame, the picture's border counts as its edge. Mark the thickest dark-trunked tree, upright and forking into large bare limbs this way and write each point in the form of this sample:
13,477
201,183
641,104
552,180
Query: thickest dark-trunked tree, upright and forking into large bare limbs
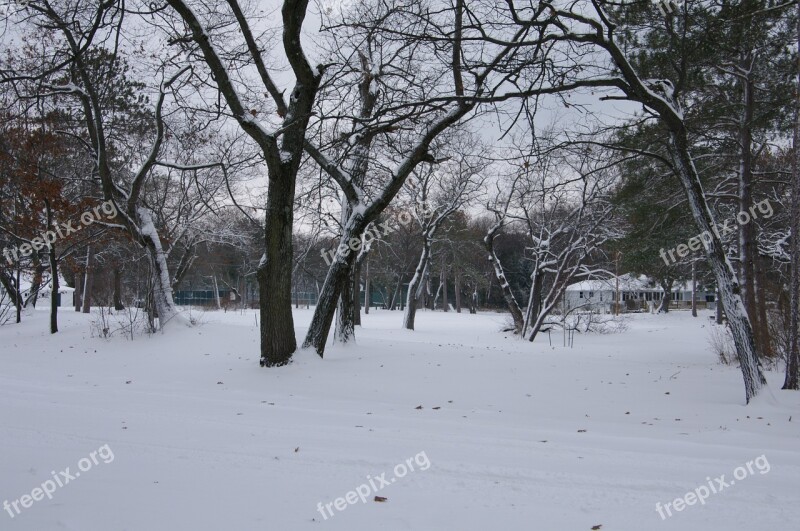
281,145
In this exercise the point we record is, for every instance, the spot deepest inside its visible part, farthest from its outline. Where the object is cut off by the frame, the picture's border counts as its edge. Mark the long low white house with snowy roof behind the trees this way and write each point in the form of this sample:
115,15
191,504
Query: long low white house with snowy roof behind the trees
636,293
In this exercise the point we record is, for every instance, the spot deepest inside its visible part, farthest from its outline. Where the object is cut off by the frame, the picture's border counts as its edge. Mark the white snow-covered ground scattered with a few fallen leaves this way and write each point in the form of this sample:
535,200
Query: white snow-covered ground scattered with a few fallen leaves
509,436
